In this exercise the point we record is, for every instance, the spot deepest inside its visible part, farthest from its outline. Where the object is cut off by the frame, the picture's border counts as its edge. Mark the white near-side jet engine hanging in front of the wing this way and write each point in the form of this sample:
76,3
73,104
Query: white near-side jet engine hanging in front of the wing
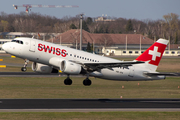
70,67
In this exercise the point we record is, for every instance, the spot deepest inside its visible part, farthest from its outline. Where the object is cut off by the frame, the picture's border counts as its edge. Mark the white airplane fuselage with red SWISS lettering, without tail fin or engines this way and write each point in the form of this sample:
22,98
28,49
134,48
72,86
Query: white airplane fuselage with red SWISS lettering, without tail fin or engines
34,50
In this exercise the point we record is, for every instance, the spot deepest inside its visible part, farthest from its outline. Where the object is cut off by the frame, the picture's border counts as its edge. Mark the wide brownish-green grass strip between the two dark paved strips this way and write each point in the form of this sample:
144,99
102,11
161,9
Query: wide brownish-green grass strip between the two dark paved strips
46,87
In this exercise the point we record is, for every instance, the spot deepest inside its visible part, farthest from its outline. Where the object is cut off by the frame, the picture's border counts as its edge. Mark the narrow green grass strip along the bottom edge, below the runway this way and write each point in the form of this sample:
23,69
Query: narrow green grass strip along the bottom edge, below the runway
90,116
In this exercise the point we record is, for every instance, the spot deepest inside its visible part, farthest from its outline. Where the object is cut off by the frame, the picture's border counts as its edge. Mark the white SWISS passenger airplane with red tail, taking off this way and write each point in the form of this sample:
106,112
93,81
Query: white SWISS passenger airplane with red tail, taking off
49,58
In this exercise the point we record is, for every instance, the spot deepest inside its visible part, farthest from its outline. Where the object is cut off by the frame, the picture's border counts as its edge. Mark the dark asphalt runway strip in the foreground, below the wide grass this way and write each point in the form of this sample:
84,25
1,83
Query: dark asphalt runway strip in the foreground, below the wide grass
83,105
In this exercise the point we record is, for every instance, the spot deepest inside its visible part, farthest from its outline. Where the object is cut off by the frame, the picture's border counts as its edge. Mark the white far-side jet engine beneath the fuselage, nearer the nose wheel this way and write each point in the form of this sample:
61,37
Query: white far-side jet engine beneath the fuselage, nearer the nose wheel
41,68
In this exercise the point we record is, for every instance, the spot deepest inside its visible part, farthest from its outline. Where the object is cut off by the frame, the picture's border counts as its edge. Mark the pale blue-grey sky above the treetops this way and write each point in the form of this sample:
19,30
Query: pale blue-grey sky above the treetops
129,9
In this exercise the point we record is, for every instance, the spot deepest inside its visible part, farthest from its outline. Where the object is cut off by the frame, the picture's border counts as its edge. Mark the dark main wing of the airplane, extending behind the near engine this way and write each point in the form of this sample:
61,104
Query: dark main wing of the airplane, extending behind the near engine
97,66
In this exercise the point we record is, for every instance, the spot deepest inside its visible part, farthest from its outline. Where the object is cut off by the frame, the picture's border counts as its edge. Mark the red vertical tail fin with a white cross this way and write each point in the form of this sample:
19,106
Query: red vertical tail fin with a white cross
154,53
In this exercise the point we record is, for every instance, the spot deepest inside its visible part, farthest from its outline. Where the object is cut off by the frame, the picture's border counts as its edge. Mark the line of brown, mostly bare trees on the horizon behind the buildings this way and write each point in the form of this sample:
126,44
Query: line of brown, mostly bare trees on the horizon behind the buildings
168,27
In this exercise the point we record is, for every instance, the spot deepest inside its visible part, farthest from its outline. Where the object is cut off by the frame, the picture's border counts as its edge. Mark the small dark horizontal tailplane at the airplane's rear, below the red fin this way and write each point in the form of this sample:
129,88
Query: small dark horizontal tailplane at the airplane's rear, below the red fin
162,73
